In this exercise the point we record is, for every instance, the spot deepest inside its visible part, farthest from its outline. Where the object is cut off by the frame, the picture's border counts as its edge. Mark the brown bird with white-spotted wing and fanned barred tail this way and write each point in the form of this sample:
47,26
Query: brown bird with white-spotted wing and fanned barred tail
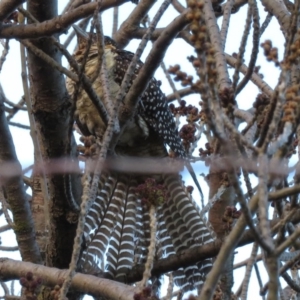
117,228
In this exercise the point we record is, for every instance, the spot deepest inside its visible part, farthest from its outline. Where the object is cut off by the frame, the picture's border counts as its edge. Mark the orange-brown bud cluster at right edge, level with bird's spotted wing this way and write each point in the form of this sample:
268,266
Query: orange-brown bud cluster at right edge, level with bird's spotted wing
291,107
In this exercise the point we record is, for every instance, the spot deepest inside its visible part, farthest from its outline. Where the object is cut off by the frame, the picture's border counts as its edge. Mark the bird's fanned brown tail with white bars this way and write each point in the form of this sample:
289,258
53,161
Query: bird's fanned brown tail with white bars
118,230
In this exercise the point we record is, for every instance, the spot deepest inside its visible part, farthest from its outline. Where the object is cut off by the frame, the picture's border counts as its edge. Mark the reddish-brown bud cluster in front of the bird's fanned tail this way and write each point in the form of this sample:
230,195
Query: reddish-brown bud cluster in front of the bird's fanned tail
152,193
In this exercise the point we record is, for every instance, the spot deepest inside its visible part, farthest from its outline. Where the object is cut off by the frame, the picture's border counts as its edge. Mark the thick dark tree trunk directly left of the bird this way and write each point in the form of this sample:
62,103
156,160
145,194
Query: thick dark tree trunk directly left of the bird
52,112
